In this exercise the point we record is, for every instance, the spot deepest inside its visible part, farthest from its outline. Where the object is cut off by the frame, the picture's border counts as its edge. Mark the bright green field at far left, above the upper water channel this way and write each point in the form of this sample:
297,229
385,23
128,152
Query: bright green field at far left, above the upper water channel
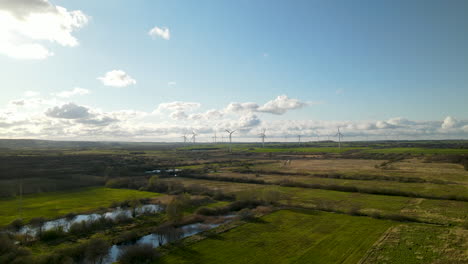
54,204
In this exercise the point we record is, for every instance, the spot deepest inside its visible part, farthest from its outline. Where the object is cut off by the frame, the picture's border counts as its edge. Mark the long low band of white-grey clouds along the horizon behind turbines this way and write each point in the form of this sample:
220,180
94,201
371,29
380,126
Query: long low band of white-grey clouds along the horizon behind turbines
51,118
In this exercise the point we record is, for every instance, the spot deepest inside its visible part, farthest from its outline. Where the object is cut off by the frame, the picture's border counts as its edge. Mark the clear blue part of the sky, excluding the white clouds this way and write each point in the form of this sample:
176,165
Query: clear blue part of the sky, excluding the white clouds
346,61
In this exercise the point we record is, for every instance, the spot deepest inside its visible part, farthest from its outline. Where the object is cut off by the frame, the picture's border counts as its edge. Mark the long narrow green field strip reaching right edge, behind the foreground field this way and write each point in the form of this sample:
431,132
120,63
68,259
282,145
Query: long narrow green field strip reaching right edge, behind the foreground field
436,211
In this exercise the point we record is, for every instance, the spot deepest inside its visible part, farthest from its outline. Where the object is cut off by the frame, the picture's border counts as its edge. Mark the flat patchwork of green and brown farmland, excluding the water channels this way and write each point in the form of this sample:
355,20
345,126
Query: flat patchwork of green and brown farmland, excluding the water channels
286,203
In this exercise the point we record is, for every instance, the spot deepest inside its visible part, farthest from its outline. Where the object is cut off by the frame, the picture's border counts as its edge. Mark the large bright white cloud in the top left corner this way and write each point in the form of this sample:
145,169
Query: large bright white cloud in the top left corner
26,24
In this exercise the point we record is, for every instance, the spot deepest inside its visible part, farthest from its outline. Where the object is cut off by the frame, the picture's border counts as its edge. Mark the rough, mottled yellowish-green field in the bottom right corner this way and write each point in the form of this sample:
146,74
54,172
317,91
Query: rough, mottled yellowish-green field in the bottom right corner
420,244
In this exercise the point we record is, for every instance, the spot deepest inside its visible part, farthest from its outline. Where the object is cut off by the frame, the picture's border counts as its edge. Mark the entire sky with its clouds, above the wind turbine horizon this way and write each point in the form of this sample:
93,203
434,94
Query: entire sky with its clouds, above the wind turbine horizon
156,70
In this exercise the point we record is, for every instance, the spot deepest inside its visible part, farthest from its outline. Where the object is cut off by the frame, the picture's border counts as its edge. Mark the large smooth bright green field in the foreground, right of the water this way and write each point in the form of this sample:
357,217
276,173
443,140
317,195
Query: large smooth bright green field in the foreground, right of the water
288,237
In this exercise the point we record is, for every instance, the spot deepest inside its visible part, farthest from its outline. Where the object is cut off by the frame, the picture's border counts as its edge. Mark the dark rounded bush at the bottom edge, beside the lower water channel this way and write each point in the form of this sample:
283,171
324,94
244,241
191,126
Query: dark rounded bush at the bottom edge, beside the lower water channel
138,254
